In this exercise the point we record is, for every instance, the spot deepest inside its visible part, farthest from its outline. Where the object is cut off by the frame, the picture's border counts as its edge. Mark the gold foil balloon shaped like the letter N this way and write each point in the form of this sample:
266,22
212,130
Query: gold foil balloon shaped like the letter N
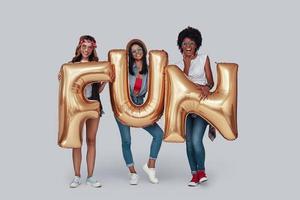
182,97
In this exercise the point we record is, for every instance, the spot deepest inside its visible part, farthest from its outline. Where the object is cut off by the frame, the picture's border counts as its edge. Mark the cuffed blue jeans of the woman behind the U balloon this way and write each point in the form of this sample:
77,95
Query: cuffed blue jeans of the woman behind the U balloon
153,129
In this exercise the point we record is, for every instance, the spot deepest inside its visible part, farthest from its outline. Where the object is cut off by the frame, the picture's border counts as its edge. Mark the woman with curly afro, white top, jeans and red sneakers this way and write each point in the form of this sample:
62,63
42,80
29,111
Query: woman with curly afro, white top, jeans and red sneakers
197,68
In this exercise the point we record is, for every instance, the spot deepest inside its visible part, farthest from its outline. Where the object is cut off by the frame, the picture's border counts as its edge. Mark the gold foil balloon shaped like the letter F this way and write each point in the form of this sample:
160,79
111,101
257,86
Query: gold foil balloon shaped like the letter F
74,108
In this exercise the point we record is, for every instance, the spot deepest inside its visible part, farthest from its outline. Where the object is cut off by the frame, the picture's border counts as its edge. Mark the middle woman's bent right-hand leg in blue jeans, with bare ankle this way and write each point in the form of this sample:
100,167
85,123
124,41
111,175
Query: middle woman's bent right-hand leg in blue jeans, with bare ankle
157,135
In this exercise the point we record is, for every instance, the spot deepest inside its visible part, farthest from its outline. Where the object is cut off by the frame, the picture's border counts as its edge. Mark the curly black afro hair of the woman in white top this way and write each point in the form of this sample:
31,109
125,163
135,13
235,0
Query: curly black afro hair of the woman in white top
192,33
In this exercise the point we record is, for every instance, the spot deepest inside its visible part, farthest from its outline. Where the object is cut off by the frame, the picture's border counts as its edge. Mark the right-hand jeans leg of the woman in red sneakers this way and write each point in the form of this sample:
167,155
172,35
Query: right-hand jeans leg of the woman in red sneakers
198,131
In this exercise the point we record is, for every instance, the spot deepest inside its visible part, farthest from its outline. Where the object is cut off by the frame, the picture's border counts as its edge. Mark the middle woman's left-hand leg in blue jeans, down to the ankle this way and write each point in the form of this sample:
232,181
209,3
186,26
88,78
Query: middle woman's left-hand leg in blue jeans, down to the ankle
126,145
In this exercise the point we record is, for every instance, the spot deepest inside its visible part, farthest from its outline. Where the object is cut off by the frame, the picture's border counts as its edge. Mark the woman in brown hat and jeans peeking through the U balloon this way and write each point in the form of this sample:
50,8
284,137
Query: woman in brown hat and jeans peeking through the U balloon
138,83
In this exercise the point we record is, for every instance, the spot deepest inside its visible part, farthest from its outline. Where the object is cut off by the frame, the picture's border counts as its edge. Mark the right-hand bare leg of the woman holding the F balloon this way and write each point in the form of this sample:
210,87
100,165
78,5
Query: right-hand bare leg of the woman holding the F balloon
91,132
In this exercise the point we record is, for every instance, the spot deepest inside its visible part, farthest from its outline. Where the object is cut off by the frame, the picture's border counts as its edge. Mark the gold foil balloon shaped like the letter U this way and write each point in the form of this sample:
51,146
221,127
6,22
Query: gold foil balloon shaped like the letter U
124,109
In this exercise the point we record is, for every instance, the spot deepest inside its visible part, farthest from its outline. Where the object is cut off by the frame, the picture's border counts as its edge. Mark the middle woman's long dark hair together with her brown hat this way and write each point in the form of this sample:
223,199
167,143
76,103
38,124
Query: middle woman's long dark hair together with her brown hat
131,59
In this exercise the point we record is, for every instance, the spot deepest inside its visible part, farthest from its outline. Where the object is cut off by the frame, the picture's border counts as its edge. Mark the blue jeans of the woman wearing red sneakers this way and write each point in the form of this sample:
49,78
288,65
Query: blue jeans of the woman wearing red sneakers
195,128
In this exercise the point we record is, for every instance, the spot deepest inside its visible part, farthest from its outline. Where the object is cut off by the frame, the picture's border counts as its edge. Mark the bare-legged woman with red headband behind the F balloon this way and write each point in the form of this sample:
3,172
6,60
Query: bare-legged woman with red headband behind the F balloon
86,52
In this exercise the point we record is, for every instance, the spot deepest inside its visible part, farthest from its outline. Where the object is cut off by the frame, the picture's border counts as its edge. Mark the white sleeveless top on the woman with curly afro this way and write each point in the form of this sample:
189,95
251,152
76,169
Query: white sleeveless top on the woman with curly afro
196,72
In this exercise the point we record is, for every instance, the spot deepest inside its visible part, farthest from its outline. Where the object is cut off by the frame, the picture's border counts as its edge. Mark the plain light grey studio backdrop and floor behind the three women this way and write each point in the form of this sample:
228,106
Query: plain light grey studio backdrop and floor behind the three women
261,36
